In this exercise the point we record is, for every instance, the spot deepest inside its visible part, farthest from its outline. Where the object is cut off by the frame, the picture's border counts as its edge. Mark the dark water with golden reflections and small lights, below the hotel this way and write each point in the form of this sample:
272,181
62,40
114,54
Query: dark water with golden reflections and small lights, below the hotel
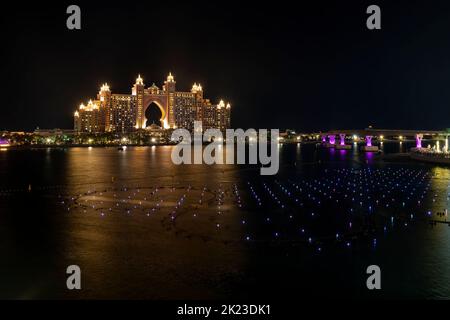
140,227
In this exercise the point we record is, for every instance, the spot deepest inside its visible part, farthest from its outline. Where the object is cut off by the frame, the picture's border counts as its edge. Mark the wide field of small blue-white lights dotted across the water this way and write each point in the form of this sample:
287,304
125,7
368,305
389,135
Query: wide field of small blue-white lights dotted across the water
340,208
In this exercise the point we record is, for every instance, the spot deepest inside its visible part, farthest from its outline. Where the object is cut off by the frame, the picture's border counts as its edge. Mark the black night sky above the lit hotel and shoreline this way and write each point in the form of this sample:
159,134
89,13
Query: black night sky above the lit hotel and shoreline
312,67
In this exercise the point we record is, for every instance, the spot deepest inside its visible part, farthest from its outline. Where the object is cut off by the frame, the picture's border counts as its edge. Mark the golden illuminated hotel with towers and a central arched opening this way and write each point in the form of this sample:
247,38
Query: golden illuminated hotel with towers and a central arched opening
127,112
